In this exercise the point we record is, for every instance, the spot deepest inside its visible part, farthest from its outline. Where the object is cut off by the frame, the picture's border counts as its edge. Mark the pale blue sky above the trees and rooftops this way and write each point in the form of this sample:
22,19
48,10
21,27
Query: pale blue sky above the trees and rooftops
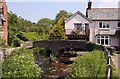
34,10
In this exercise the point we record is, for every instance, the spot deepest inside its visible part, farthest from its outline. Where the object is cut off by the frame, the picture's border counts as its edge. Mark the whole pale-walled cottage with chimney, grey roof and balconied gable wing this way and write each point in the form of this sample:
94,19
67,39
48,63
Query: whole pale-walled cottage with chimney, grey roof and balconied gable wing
100,25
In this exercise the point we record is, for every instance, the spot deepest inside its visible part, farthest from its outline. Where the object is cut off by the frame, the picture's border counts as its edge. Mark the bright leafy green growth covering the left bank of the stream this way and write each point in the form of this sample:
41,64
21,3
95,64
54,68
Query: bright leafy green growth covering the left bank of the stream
21,64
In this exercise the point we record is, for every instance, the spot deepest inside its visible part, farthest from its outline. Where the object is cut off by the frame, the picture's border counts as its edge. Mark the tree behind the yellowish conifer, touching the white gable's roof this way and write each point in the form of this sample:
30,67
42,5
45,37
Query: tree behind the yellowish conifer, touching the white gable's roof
61,14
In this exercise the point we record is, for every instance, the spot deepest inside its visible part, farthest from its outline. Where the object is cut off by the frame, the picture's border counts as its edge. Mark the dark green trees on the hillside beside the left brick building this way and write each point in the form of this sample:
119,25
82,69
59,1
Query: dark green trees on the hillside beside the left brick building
17,25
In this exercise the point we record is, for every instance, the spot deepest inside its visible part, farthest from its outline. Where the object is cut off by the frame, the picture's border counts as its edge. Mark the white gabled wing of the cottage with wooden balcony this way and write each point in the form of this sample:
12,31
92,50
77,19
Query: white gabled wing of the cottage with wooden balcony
77,26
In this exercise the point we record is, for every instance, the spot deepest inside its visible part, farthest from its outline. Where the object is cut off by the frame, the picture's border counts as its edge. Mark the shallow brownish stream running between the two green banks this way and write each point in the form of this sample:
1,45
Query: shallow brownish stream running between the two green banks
54,69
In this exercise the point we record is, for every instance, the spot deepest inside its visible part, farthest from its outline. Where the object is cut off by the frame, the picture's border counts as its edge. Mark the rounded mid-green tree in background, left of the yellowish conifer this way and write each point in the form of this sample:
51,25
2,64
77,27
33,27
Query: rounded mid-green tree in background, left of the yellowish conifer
44,25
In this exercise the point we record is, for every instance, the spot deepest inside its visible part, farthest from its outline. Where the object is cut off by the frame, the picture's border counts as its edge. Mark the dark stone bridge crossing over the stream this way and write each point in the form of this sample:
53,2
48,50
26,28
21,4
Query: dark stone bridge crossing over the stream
58,46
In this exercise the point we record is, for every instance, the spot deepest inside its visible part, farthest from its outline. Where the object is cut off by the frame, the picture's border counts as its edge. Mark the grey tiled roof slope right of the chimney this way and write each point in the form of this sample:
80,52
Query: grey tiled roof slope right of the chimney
104,13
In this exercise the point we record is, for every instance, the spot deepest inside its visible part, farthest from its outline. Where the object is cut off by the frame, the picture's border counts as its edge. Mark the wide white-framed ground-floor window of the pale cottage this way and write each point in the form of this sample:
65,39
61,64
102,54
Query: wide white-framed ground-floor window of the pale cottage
103,40
